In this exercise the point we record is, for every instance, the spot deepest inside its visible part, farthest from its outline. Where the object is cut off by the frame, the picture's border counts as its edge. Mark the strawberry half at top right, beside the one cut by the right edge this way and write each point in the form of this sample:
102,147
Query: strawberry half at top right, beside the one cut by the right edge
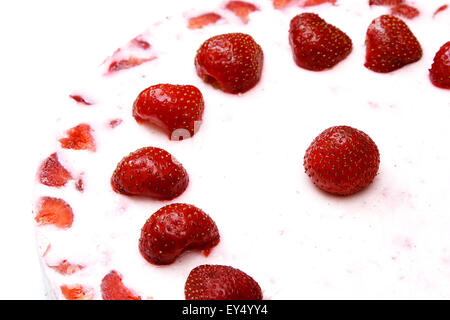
390,45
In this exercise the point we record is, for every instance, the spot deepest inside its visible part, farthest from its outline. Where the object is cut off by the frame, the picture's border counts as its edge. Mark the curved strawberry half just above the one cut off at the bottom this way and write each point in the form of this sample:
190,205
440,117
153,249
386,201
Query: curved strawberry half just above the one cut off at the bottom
174,229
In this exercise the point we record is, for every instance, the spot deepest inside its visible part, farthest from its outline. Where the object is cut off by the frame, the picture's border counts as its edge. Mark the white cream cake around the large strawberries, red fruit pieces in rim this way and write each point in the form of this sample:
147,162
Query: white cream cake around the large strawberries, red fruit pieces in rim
244,164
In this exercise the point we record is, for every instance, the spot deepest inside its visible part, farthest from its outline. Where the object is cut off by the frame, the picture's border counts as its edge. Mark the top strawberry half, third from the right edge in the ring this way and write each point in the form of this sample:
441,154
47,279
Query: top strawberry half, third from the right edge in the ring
317,45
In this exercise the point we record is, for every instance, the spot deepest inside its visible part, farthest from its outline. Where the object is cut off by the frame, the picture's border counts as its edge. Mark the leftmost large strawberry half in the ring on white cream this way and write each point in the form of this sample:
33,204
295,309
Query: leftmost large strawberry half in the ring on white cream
150,172
